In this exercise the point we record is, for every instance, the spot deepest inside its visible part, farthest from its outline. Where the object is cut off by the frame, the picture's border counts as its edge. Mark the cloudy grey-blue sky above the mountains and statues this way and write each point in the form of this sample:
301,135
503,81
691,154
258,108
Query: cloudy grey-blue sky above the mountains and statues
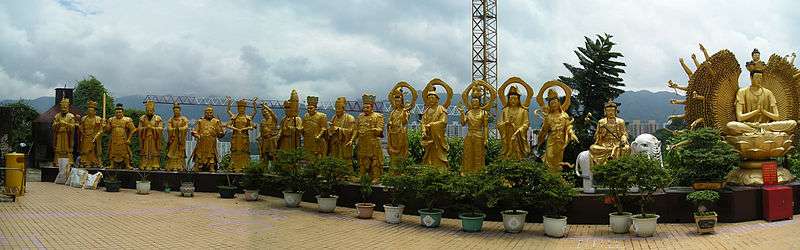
346,47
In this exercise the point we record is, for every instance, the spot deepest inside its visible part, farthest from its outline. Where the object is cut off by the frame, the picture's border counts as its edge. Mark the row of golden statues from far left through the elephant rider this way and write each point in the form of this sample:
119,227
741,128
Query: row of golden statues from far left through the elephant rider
337,137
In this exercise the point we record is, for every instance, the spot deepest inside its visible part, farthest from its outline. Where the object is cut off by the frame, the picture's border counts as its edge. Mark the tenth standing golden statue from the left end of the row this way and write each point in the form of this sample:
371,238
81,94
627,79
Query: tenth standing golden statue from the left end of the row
314,126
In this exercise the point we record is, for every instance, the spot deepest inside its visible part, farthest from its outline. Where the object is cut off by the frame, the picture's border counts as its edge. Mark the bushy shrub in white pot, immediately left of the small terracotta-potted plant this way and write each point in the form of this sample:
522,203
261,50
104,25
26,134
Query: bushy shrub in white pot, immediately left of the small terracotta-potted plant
328,173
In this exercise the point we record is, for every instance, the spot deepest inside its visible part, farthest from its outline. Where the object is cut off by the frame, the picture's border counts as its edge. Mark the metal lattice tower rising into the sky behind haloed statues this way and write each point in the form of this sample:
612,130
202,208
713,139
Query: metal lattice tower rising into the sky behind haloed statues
484,41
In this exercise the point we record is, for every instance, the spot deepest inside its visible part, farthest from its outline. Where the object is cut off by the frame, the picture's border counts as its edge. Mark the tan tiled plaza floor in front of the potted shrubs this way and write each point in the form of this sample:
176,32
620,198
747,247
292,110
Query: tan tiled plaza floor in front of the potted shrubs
55,216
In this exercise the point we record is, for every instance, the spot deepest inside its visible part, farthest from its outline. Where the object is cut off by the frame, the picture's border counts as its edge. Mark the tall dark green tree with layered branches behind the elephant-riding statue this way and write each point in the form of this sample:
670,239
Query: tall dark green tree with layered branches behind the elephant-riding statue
596,81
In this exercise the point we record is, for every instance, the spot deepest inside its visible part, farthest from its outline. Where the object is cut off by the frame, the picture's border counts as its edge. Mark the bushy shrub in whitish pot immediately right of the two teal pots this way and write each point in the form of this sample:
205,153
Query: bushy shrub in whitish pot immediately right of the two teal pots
513,190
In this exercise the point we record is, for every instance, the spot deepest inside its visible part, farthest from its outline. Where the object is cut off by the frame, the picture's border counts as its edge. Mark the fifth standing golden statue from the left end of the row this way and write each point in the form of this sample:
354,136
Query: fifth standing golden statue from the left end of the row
176,140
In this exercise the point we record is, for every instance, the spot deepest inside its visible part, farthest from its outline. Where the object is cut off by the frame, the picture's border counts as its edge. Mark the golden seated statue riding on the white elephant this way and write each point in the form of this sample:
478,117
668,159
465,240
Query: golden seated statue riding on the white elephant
610,137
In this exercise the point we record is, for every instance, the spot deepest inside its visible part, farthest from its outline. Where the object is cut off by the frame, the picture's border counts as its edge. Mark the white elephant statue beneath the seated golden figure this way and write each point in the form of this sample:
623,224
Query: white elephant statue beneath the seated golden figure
644,144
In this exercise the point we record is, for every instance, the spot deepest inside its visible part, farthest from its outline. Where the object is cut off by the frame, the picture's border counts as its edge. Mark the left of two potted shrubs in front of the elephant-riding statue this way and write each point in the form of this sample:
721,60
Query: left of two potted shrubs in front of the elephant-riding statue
616,176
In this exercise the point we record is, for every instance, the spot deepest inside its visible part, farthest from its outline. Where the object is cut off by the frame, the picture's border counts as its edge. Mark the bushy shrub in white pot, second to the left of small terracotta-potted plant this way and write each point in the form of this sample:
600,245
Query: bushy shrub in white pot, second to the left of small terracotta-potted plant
290,173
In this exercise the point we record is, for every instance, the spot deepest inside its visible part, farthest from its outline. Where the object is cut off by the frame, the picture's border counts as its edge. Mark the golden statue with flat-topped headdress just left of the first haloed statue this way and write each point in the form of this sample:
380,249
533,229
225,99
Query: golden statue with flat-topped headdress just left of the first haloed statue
369,130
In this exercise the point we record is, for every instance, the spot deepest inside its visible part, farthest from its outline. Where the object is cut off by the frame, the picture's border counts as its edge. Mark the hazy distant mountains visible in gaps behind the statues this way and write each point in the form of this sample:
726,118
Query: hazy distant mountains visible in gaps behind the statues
635,105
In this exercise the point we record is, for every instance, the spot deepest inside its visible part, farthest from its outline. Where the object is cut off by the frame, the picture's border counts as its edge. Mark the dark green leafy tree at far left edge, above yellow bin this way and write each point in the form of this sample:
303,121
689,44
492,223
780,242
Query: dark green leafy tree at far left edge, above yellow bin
21,123
